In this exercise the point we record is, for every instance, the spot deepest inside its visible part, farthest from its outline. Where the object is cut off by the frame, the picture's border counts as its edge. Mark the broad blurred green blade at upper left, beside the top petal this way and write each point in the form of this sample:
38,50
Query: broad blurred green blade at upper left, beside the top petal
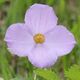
16,12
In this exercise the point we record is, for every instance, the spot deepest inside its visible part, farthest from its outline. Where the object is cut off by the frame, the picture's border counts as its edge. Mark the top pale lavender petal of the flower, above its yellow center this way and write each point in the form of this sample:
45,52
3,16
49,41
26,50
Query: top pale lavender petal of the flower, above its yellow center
40,18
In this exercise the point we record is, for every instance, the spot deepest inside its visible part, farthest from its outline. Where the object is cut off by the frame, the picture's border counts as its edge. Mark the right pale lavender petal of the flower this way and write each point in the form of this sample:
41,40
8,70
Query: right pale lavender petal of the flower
61,40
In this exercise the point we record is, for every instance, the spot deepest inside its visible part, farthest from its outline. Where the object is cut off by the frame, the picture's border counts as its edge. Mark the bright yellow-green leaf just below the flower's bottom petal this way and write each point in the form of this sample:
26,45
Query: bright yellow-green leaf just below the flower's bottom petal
47,74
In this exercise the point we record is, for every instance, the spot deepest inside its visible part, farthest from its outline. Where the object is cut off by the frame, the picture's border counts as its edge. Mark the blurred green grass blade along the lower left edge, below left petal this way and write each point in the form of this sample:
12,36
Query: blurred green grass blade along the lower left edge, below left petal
5,68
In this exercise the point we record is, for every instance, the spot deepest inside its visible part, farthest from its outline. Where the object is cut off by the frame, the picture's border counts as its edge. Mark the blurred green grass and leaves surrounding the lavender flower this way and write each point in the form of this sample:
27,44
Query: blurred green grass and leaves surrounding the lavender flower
16,68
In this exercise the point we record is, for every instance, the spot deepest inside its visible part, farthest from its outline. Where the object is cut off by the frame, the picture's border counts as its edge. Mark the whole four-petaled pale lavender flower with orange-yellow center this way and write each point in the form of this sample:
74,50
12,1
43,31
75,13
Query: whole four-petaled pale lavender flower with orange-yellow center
39,38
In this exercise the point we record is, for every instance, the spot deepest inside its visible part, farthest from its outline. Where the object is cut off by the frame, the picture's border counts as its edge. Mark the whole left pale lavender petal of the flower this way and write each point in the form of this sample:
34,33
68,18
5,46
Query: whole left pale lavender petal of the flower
19,40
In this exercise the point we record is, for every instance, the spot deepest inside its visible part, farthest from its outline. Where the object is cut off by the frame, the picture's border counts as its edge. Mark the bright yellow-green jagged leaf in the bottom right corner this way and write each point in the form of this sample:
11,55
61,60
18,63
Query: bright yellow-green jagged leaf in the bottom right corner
73,73
